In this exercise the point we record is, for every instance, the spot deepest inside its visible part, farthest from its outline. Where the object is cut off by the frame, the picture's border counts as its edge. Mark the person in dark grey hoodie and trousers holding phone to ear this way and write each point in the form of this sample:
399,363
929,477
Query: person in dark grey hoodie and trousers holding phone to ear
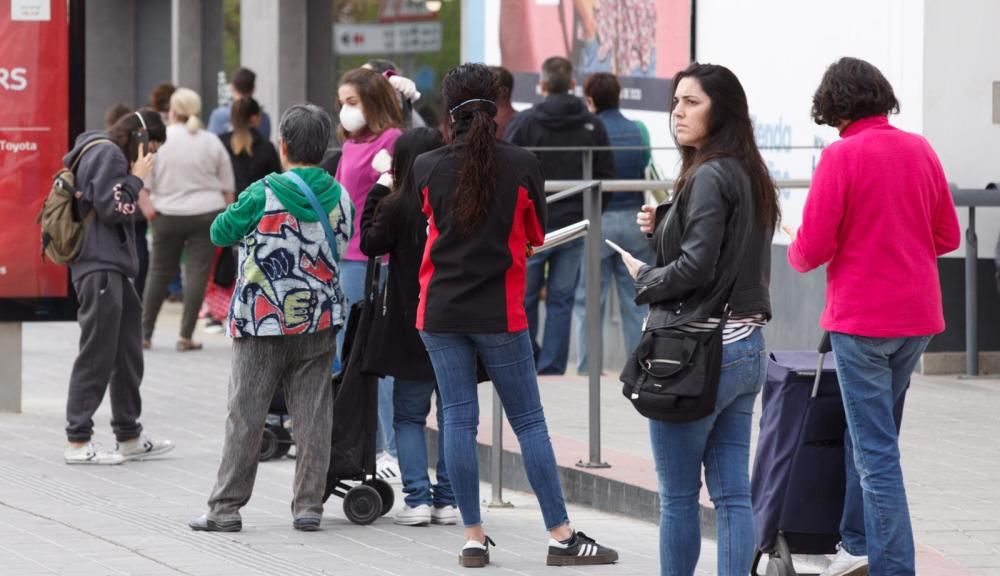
109,175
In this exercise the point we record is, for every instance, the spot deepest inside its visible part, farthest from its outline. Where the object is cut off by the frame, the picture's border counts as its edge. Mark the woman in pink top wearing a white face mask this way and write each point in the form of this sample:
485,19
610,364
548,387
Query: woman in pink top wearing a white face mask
370,122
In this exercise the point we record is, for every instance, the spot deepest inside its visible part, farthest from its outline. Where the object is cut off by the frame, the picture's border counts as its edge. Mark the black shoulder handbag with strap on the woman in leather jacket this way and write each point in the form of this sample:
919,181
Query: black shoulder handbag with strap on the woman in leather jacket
674,376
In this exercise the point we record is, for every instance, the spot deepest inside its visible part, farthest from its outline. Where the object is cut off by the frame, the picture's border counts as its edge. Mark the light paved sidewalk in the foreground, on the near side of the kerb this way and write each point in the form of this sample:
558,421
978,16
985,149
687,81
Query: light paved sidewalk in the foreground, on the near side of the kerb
131,519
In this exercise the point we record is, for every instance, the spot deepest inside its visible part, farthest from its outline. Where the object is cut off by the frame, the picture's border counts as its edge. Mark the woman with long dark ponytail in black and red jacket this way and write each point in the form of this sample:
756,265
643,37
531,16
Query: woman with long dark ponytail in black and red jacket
485,206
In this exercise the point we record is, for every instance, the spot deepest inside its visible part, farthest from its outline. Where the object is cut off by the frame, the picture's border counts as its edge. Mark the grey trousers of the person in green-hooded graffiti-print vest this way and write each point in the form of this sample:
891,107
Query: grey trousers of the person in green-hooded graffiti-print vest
260,364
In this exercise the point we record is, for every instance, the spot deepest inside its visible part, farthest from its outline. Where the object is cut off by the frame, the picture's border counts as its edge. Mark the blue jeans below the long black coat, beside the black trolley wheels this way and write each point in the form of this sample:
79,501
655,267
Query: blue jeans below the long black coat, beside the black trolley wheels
411,402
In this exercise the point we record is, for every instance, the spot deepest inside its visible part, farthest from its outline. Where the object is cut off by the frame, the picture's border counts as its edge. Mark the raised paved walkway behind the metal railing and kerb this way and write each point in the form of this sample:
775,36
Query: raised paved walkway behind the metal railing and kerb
950,447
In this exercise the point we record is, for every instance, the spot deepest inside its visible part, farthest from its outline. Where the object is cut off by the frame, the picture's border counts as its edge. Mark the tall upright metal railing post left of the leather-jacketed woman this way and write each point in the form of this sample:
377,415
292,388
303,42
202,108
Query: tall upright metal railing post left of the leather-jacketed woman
595,350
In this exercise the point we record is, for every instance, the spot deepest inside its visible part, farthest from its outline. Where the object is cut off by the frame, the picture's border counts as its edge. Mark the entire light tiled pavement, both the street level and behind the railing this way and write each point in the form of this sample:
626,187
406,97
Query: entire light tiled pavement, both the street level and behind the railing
56,519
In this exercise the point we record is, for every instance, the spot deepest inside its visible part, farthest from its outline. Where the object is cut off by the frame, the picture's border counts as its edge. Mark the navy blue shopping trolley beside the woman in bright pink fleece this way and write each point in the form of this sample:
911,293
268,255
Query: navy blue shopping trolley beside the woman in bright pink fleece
798,480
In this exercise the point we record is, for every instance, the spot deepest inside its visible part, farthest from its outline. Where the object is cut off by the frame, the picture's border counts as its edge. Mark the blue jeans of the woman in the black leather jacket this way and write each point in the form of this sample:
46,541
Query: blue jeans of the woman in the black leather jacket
721,442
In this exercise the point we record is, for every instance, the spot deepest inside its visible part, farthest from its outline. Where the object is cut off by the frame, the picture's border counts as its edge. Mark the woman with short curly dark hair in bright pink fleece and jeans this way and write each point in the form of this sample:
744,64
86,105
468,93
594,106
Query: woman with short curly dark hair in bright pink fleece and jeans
879,213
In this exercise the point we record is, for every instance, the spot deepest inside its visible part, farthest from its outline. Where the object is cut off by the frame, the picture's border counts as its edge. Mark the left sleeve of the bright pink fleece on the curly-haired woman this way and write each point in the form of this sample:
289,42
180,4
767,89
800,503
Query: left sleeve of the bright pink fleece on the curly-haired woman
816,241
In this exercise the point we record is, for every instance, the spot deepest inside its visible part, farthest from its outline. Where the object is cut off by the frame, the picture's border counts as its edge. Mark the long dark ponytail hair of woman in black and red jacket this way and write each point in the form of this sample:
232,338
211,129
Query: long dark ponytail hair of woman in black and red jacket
470,92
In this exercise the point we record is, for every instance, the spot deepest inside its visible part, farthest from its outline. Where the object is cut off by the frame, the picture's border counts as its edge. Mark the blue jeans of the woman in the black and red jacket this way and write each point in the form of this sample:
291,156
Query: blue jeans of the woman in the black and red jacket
508,359
